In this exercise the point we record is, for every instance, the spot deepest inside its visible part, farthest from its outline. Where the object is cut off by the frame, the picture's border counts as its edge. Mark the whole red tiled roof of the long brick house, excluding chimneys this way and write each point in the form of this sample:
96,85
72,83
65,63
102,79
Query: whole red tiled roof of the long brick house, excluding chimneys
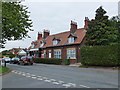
63,37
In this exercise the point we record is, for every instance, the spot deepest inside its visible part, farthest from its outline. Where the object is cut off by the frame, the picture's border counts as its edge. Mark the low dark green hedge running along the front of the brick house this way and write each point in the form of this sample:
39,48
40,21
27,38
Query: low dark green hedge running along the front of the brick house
48,61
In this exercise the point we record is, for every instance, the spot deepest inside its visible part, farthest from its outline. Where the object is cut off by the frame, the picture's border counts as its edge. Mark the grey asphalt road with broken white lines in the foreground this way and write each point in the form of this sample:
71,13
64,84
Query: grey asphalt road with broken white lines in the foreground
58,76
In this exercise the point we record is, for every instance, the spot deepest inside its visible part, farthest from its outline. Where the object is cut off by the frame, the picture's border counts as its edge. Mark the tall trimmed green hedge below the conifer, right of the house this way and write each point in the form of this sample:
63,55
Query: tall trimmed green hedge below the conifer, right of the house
100,55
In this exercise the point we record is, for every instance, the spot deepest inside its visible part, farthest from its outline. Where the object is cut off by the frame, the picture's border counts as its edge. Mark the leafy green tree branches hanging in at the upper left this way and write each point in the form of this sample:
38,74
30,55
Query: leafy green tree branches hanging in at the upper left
15,21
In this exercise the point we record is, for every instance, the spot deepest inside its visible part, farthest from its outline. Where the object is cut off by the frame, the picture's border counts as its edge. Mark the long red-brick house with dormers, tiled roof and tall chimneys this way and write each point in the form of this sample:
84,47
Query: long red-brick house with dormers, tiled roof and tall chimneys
64,45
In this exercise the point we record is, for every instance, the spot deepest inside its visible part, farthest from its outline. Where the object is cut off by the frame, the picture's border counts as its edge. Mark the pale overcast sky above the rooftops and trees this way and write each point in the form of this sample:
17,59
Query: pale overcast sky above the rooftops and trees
56,16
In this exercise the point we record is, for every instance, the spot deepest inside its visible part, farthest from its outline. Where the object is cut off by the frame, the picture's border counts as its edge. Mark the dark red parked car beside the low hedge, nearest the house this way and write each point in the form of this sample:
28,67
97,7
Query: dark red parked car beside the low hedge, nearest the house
26,60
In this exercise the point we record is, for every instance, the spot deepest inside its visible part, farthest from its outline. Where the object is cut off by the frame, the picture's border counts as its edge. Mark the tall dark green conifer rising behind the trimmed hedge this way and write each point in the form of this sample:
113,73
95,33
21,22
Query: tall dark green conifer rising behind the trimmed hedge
101,30
